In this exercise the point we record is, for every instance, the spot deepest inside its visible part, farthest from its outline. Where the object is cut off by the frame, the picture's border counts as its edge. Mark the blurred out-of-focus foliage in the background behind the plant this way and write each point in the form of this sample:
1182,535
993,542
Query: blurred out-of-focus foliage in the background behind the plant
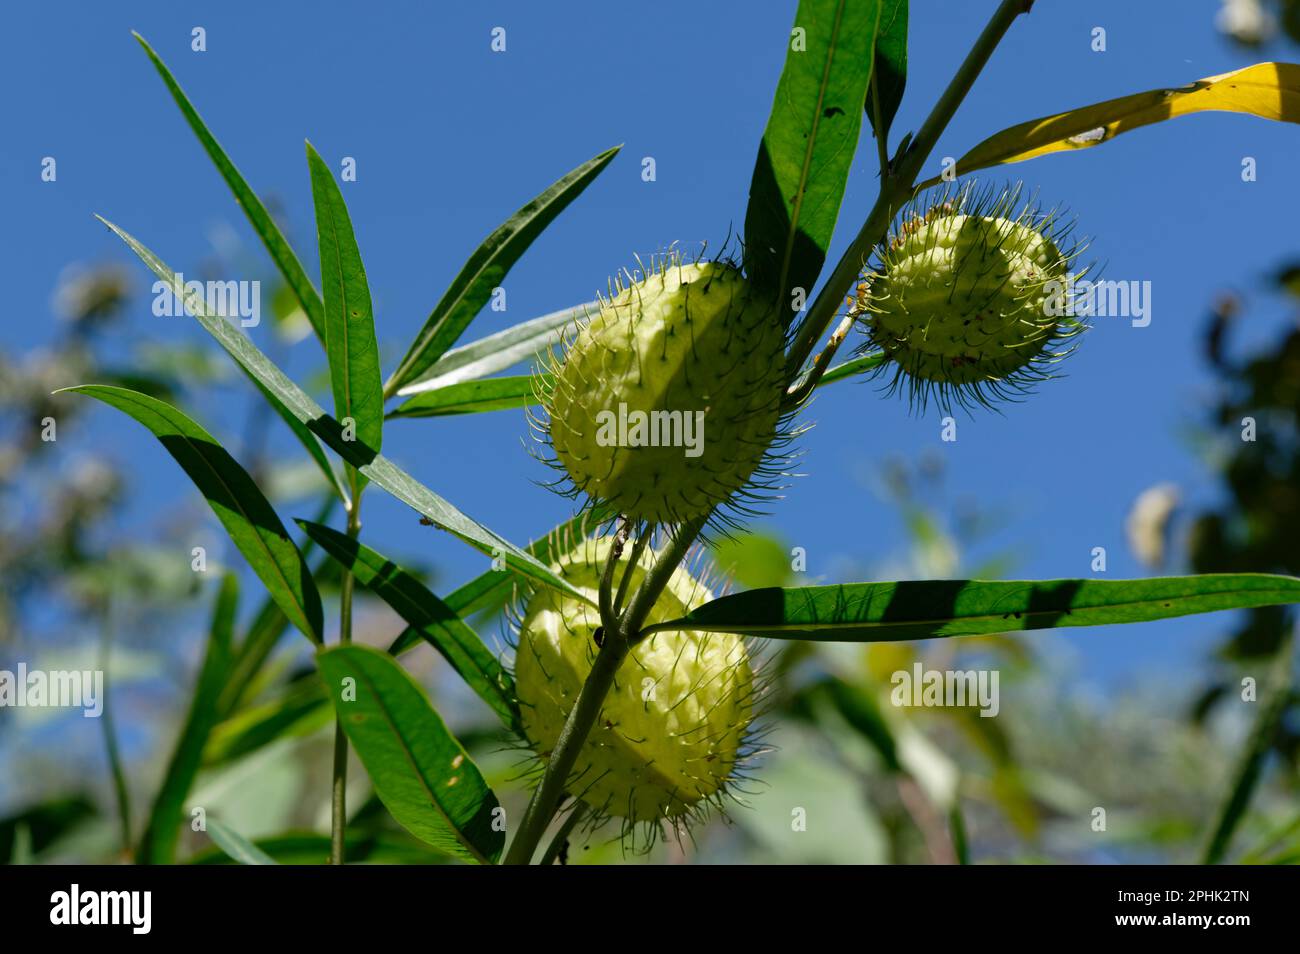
877,783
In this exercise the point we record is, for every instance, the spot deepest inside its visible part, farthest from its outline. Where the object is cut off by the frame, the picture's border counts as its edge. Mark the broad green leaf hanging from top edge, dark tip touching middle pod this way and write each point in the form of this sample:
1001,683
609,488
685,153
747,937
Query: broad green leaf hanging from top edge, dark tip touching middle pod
808,148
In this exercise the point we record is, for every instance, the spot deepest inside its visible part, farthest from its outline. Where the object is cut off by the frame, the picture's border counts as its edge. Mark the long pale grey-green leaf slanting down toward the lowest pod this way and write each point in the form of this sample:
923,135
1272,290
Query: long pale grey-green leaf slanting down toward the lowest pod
363,458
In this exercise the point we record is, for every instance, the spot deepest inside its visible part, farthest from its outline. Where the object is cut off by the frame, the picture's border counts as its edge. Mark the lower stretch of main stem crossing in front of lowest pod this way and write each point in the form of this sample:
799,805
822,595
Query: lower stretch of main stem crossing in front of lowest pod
587,710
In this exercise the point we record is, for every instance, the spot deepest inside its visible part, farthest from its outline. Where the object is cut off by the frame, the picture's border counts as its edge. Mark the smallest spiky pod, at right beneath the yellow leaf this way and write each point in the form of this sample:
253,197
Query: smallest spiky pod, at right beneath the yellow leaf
969,300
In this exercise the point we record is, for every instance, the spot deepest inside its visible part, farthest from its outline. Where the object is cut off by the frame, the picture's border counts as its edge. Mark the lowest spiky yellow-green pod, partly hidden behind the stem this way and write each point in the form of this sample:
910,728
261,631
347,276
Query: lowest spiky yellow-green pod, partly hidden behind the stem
673,728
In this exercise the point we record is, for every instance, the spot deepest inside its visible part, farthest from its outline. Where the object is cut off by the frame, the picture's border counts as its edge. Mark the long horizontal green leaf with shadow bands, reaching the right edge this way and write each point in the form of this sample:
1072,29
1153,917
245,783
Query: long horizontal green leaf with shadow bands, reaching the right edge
933,609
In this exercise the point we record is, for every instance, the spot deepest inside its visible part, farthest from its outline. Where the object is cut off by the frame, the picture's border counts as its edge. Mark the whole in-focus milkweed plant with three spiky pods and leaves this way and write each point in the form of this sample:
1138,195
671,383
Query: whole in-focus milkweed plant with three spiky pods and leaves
668,410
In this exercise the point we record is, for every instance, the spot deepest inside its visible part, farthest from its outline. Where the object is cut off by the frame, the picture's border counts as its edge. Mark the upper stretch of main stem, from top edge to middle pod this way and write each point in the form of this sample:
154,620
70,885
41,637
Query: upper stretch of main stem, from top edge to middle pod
899,187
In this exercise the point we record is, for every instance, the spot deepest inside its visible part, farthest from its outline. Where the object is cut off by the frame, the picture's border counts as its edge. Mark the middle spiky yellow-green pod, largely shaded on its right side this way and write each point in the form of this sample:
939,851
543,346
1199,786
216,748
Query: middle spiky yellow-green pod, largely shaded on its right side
669,401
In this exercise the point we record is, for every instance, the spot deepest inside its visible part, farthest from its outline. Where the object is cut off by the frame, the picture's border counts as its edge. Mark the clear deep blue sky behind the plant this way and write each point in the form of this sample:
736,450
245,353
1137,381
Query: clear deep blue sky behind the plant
450,138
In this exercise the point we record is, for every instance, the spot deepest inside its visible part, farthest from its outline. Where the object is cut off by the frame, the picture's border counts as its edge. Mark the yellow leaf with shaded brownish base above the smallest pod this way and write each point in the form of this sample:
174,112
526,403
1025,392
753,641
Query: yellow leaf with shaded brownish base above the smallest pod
1268,90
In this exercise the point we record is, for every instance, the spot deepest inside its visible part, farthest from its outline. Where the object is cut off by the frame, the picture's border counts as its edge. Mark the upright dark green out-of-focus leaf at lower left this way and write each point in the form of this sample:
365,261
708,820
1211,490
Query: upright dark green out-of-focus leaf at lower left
158,845
